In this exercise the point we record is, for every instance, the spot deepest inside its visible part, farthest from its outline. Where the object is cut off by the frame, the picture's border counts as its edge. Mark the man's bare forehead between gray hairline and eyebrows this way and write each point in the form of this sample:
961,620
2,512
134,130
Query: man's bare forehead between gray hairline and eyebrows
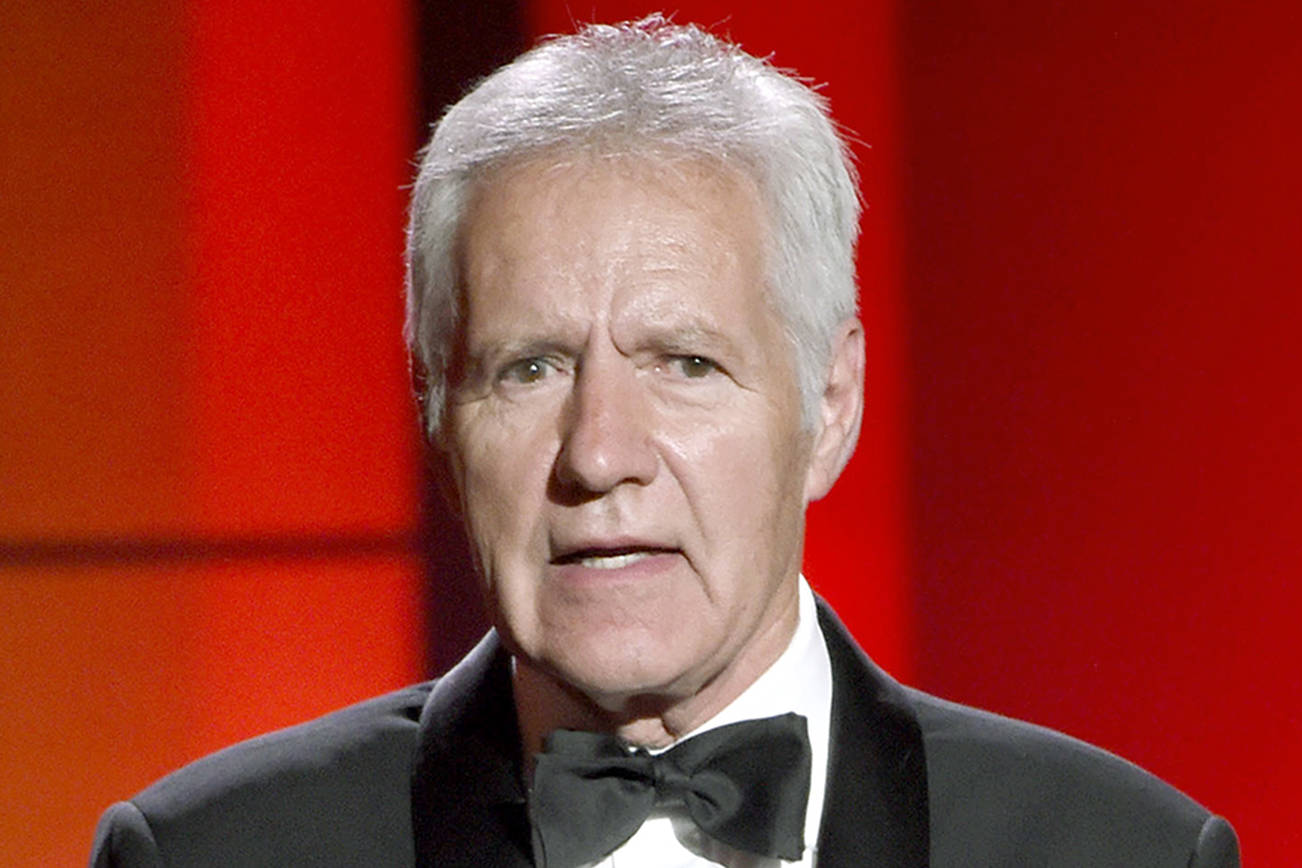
632,221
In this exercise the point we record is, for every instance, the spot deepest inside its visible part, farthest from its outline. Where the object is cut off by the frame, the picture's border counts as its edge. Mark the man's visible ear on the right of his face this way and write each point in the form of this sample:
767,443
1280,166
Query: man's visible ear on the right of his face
840,412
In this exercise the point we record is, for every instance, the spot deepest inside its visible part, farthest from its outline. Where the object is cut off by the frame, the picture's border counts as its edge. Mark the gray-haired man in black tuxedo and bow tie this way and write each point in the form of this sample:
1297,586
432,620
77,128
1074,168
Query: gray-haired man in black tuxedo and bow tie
632,292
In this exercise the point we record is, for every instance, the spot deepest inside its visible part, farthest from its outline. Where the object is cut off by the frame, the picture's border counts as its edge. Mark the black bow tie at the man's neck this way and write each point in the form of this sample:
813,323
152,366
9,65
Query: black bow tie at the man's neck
745,785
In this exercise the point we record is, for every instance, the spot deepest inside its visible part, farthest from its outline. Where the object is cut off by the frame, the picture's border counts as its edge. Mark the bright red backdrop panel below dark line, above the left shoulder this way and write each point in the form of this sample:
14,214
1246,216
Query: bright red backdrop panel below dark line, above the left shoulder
277,642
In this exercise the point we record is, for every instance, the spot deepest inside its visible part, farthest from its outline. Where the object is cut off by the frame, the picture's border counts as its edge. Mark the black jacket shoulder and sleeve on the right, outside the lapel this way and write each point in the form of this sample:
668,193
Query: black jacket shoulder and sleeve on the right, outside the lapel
999,788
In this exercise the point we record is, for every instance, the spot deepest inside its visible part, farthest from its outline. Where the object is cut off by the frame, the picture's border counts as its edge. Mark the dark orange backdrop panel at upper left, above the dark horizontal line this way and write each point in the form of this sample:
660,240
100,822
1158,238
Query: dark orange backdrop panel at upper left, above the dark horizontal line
92,271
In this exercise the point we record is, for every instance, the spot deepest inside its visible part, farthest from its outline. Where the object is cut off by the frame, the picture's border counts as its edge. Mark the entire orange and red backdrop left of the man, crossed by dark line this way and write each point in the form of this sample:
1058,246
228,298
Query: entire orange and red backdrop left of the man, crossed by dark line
209,486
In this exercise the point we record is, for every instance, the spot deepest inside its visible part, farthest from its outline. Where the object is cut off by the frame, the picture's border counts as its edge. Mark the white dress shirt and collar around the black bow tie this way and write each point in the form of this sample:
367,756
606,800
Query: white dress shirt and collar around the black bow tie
799,681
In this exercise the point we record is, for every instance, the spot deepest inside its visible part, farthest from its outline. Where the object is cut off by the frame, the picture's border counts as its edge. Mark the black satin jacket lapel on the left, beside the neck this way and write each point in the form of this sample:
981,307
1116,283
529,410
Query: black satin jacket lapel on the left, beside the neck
468,805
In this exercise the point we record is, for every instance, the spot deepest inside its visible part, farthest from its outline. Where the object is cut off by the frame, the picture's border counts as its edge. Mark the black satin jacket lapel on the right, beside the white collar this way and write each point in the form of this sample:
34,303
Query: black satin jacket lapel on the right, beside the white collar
876,810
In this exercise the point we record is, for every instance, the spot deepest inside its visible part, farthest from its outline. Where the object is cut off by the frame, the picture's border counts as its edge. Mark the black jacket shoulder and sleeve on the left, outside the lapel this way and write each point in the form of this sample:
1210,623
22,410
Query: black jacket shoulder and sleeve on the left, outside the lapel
335,791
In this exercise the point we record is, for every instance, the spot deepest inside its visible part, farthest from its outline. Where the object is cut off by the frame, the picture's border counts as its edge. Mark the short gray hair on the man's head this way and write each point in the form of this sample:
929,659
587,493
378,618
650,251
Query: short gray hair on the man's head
657,89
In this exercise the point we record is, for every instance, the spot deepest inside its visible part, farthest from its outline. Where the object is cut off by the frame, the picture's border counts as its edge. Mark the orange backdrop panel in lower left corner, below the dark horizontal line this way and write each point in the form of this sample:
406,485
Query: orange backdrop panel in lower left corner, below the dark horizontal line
94,699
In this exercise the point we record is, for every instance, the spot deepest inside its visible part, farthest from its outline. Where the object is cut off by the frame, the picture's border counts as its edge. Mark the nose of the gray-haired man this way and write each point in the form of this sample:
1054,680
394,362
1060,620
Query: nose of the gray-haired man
607,437
